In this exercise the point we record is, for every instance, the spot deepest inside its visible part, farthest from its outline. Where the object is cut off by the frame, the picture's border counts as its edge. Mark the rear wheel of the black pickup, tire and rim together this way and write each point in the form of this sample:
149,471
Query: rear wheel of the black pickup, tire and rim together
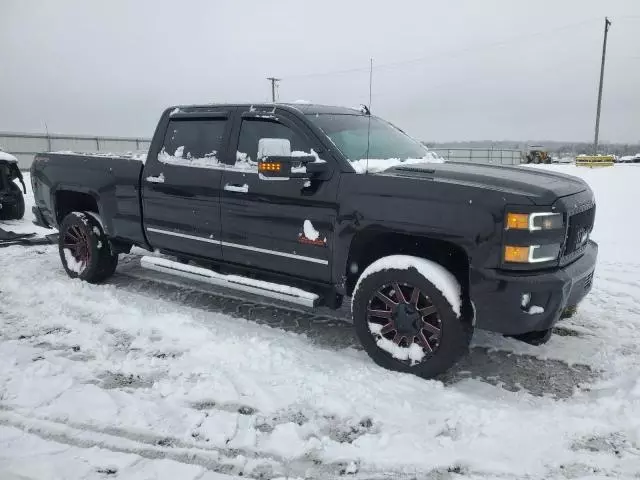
99,262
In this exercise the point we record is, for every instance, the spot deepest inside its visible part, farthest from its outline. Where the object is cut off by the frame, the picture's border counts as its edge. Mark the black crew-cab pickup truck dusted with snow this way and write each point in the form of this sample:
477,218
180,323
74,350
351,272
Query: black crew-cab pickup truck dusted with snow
311,204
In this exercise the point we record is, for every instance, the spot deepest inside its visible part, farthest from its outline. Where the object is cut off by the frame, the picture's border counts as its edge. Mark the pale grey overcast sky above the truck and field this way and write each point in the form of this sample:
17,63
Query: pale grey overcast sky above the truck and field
446,70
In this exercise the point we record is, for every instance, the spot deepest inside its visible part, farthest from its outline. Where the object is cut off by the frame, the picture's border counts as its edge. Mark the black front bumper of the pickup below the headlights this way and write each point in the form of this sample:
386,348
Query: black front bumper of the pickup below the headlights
497,295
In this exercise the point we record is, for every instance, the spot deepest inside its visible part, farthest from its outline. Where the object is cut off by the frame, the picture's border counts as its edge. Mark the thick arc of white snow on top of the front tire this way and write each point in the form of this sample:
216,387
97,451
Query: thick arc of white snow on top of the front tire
441,278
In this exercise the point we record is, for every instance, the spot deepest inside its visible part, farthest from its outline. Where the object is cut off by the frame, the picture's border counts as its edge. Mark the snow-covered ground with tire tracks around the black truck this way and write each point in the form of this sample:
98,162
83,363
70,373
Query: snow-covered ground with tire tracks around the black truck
139,379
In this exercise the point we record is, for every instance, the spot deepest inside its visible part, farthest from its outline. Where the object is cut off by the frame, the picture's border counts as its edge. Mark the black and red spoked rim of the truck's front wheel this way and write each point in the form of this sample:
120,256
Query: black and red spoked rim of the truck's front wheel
405,315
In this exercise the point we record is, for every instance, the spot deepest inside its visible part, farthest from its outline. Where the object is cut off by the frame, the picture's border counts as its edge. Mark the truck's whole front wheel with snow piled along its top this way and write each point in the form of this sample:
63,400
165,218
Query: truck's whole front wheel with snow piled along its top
407,315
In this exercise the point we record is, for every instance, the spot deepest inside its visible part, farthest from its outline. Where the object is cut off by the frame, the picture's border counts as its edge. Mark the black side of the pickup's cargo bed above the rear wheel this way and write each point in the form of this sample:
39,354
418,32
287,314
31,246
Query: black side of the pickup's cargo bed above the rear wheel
111,180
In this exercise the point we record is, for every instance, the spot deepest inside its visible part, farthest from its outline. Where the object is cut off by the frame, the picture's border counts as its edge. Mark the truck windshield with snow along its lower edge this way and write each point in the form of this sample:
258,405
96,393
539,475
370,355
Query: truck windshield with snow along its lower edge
388,145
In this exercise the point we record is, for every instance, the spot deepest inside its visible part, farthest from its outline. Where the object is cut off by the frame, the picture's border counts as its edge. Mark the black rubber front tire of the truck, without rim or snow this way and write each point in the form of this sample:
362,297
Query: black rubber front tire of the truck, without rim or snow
456,332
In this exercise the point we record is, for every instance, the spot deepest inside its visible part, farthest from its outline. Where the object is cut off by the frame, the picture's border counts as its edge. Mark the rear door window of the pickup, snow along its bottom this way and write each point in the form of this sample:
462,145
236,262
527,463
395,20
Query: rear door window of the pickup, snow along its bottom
193,142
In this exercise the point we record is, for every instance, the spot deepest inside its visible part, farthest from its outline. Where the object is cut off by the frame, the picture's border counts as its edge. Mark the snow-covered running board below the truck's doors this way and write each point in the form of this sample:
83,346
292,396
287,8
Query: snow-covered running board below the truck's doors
235,282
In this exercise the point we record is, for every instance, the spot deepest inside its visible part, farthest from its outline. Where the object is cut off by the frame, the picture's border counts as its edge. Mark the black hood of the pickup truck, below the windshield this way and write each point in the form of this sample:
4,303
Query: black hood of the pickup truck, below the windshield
543,187
